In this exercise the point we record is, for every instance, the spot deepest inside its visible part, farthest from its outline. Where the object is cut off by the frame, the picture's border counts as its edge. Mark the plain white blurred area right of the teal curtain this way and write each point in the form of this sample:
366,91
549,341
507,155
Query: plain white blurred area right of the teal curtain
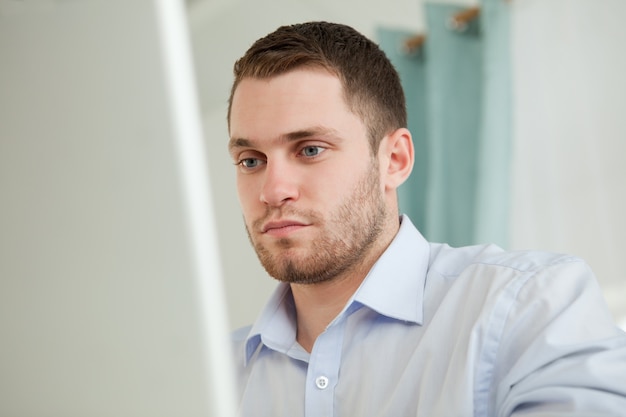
569,191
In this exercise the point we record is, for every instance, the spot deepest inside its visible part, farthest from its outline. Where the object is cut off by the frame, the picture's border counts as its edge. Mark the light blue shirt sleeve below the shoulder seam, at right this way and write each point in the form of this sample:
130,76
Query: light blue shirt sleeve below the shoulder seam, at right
560,352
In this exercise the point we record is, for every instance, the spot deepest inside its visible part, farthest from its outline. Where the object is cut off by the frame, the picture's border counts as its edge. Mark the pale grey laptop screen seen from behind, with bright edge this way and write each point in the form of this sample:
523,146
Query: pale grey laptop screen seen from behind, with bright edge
111,293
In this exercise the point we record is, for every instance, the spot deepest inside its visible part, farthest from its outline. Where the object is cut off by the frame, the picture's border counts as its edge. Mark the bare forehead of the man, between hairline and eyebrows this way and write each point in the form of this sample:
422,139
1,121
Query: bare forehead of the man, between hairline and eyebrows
289,102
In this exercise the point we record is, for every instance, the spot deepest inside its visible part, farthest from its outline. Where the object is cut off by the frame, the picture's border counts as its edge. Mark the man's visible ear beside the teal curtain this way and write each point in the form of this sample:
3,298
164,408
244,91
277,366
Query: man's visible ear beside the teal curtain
398,158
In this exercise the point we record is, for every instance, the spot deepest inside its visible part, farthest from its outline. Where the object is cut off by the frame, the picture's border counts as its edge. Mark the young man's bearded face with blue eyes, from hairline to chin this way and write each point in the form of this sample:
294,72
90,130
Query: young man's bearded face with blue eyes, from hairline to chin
308,184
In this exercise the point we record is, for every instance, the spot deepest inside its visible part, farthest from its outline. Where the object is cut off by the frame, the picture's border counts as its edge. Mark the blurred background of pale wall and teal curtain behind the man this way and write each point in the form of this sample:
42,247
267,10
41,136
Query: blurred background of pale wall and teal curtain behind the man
517,110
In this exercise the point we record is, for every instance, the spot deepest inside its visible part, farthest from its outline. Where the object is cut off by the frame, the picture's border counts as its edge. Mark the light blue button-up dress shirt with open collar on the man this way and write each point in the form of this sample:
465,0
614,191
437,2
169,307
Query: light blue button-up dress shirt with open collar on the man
440,331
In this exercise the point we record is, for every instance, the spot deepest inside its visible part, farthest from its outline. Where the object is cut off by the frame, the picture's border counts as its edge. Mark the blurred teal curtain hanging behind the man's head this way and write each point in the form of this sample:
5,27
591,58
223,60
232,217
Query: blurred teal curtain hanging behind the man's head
458,100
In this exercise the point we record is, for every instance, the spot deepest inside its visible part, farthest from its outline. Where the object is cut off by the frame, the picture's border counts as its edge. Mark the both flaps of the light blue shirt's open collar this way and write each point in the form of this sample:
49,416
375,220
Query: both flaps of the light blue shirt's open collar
394,287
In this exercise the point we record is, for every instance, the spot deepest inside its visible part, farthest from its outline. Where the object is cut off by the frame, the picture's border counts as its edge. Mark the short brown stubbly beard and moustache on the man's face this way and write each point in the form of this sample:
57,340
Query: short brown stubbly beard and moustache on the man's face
345,237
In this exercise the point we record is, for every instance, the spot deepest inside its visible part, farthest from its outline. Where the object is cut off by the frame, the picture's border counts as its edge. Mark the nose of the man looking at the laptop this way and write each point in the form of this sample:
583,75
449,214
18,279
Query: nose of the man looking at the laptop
280,184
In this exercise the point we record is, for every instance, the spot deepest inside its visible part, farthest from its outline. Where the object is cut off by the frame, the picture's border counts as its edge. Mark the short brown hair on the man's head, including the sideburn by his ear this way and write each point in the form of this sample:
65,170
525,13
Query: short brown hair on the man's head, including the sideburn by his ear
370,83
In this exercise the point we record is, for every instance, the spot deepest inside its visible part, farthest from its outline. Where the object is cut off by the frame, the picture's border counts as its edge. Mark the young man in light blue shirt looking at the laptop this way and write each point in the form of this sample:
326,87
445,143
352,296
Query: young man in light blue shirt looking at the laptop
369,318
